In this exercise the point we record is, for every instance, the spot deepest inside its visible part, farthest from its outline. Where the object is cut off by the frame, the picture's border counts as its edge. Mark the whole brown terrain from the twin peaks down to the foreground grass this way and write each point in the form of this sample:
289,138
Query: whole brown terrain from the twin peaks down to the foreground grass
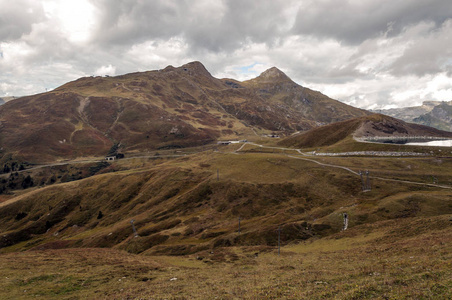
217,188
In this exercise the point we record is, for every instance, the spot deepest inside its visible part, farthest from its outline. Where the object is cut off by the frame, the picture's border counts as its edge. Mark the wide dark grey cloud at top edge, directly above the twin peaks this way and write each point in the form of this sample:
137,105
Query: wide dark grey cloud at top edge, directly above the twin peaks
209,25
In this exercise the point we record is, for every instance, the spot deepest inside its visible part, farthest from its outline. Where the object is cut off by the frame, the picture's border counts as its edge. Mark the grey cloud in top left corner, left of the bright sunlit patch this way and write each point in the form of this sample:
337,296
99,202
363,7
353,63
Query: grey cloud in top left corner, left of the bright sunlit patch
17,18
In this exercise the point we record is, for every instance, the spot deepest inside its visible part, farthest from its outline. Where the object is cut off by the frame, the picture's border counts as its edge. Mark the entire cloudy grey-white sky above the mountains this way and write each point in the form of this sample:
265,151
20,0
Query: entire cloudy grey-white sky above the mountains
367,53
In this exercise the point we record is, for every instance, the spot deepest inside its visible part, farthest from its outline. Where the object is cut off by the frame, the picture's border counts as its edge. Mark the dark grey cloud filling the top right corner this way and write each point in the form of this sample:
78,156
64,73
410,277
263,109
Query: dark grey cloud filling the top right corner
355,21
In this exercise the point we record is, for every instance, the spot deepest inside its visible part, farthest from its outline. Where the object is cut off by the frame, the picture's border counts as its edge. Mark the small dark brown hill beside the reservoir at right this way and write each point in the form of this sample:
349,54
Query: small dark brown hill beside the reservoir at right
376,125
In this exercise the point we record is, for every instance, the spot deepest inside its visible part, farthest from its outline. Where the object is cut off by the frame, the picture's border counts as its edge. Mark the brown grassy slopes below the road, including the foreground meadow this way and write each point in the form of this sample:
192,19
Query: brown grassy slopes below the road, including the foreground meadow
396,245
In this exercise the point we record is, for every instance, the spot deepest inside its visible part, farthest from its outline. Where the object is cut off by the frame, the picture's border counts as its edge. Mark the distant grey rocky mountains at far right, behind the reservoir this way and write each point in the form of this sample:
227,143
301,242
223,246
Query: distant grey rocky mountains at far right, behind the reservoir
437,114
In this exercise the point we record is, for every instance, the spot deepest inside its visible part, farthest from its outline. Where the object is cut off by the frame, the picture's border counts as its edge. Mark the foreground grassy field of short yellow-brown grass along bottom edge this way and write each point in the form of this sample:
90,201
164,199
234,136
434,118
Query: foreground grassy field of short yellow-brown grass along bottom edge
404,259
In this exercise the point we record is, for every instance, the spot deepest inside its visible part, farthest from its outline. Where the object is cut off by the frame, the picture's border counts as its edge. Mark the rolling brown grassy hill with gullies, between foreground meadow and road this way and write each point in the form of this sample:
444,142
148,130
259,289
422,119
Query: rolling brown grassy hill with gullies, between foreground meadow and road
181,207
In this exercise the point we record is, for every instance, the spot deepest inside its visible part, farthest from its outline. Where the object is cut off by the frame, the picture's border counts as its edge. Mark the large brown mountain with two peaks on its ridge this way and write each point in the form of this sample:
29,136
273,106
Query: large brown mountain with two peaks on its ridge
168,108
